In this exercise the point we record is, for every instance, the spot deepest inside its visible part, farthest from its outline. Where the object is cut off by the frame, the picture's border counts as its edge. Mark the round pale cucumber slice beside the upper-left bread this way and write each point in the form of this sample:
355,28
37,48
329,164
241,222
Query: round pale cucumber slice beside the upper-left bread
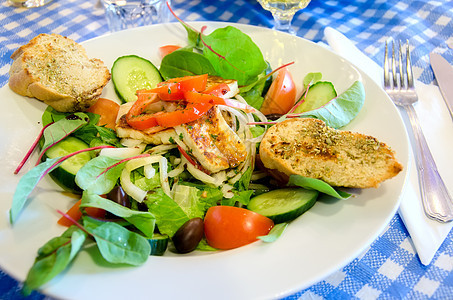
132,73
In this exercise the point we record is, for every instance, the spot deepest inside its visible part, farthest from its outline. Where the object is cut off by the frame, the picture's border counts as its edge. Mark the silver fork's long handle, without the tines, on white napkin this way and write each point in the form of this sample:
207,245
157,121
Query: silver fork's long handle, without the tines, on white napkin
436,200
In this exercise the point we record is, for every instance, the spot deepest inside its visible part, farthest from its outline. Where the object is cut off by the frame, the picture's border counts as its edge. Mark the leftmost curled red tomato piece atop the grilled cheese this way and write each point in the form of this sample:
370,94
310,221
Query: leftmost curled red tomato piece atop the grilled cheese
136,116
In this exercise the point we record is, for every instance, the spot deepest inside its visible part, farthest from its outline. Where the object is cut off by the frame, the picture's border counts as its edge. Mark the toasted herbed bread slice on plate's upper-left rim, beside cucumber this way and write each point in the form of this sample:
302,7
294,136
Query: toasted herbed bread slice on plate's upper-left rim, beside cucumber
57,71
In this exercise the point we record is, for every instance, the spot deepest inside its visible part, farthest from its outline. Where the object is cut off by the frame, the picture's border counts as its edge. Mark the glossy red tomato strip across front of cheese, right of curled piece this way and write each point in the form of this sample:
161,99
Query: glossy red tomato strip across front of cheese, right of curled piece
192,112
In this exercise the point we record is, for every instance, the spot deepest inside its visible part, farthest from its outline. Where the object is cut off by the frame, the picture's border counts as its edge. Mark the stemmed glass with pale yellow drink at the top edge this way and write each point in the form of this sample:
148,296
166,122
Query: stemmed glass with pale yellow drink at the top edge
283,12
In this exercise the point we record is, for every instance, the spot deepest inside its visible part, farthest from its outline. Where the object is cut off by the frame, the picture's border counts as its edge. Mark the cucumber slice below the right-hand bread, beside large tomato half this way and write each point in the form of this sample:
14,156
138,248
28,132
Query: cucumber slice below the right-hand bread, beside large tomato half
283,205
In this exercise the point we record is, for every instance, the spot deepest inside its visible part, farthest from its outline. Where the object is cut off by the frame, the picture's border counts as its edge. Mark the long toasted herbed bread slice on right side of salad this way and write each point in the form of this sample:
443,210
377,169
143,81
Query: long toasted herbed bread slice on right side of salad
309,148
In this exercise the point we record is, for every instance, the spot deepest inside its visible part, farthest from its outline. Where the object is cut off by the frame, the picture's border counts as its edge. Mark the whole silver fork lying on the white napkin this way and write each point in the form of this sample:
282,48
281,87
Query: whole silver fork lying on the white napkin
399,85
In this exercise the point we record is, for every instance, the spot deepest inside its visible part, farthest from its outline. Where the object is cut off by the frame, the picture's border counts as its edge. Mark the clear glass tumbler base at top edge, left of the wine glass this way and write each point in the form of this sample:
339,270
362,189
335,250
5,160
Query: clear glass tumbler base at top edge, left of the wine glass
124,14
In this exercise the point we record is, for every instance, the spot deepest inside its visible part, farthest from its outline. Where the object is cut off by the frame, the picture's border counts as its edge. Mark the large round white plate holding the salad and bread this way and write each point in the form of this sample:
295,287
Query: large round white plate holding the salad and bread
322,241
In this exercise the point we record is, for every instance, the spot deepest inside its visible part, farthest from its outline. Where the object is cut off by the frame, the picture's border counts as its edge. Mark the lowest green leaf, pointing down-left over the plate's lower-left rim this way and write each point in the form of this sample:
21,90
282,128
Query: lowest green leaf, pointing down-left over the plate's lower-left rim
54,257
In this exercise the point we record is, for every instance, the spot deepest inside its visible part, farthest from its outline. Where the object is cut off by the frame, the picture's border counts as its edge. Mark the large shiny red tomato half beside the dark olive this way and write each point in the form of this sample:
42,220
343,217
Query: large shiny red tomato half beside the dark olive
228,227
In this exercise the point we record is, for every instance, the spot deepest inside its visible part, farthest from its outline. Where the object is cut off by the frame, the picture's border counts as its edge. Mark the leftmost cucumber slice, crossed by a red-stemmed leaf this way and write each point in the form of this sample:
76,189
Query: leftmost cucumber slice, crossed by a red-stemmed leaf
64,175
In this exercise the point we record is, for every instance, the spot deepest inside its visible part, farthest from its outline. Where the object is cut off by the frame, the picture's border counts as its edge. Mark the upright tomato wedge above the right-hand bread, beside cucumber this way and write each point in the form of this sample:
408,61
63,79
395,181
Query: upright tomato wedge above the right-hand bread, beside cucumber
281,95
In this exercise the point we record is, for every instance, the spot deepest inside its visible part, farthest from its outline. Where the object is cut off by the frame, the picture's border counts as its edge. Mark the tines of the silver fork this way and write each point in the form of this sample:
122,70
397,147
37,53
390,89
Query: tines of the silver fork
394,66
